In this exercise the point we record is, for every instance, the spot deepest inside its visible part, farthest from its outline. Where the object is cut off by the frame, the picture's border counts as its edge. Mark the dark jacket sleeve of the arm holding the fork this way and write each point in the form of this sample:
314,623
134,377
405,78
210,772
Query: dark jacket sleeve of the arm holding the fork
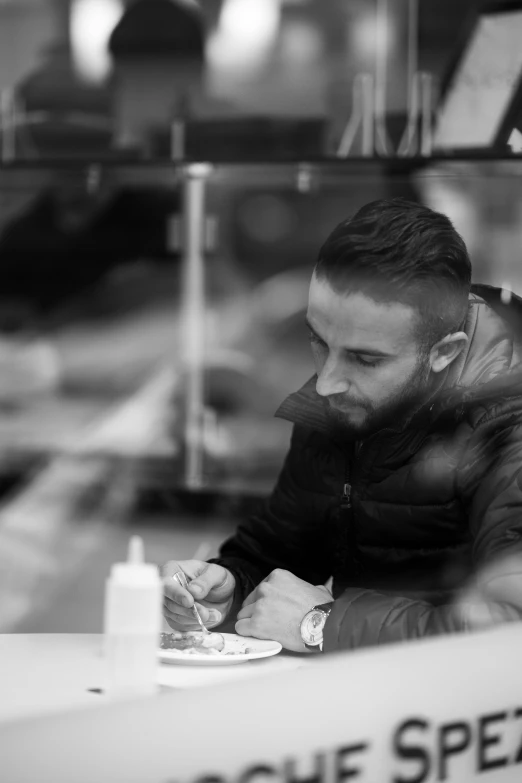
285,533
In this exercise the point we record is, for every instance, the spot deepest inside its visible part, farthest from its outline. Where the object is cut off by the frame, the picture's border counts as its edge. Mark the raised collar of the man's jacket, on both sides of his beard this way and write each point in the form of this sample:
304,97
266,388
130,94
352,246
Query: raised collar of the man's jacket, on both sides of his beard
490,366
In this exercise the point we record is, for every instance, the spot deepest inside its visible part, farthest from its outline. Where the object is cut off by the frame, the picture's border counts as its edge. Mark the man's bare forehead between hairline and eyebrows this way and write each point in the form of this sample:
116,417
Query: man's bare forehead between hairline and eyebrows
356,317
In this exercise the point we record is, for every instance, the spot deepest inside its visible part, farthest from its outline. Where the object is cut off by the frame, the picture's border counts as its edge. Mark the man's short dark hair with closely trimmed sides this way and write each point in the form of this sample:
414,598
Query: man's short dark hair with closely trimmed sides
400,251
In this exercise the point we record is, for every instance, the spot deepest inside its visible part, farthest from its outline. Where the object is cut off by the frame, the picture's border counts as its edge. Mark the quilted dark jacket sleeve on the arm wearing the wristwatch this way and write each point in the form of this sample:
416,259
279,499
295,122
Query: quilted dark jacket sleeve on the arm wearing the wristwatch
489,483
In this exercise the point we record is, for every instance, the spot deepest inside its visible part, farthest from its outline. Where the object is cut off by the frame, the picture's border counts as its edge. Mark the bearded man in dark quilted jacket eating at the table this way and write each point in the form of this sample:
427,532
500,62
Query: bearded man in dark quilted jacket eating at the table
404,475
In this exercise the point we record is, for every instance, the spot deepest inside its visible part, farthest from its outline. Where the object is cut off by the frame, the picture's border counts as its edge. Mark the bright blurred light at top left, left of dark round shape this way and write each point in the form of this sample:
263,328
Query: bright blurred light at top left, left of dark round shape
91,24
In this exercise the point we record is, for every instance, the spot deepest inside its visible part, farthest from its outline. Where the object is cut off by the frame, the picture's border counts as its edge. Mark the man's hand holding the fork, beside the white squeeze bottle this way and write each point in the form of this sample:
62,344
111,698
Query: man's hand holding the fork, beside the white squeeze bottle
210,584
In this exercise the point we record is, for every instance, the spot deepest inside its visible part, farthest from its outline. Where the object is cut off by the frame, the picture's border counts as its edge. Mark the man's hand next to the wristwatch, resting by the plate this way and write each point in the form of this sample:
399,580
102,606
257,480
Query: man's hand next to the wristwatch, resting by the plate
274,610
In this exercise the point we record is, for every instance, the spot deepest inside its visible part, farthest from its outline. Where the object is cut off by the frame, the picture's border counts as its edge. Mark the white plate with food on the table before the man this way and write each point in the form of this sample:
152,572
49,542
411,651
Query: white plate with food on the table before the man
257,648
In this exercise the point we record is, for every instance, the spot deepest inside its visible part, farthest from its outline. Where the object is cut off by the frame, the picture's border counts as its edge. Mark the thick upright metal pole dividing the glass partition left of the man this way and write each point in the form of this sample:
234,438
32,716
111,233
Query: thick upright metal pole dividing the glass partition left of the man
193,331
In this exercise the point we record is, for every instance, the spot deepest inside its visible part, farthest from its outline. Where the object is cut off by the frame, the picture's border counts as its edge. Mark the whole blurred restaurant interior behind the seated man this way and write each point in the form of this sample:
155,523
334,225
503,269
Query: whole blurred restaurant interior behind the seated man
151,308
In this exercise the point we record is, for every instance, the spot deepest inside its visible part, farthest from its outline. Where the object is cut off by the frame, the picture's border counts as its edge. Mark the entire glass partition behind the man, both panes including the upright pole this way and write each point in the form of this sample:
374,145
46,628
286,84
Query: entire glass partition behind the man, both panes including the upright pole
123,288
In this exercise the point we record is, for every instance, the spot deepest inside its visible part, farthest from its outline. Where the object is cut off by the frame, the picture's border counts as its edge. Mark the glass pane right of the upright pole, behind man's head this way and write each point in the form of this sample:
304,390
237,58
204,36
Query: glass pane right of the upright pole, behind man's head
272,221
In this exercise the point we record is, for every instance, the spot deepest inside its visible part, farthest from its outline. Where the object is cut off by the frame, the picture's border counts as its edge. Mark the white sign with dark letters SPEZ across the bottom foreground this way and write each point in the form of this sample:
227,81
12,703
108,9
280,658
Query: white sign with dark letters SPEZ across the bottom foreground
447,709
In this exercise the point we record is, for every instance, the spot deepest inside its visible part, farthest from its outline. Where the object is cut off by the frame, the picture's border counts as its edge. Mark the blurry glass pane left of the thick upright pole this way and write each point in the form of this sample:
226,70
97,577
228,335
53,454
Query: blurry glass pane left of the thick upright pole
89,294
